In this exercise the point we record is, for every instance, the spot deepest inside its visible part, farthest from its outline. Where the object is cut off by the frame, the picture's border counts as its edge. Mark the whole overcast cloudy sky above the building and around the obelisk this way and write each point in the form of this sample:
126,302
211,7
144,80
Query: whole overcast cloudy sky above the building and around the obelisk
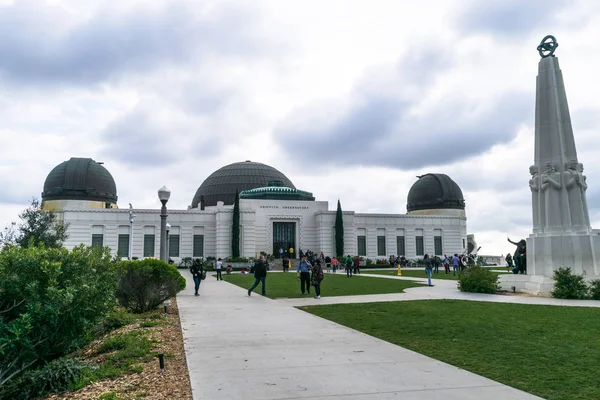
349,99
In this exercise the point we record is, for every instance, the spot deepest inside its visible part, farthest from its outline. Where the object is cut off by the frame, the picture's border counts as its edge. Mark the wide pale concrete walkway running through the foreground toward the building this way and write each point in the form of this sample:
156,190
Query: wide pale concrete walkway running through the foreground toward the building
255,348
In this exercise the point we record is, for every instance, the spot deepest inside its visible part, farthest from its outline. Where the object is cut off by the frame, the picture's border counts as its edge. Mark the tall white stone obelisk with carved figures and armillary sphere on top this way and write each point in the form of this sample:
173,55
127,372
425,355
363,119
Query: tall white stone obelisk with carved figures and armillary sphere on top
562,235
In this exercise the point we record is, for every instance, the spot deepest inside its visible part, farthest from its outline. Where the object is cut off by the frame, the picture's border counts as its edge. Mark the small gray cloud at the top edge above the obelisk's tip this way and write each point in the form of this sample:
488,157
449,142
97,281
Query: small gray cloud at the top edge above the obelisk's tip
509,17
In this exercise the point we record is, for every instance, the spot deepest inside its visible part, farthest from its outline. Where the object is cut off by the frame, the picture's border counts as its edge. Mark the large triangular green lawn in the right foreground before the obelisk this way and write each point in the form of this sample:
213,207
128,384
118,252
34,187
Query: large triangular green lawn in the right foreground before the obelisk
548,351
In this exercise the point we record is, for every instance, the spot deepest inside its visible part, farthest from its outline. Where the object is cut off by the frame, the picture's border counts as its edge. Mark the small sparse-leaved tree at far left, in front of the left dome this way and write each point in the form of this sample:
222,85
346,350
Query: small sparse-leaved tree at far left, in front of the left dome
38,227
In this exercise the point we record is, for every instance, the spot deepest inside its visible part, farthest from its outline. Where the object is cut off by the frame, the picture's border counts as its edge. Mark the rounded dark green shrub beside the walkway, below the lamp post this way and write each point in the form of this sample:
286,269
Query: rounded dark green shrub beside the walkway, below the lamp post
144,285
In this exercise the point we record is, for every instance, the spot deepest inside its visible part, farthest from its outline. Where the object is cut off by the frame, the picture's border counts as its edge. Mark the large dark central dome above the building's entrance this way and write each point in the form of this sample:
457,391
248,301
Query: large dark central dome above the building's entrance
222,184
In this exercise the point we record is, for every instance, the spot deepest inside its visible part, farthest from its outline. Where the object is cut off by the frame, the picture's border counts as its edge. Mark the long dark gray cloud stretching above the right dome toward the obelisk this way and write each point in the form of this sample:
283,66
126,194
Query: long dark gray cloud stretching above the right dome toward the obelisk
383,131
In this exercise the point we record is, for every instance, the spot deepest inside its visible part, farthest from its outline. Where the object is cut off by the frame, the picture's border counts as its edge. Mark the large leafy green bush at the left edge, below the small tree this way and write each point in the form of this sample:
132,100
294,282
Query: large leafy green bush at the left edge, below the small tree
49,301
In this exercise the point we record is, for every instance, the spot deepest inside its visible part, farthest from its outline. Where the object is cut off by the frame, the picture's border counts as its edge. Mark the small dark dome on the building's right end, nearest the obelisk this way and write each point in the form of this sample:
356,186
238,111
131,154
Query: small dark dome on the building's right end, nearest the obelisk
434,191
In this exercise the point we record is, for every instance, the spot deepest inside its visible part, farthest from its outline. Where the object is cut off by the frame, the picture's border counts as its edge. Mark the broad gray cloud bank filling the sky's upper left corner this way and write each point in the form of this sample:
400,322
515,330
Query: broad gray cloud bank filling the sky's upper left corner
109,44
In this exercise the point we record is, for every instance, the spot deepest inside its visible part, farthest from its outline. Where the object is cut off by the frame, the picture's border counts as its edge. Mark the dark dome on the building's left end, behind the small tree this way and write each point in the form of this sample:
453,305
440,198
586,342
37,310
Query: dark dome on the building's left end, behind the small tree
80,179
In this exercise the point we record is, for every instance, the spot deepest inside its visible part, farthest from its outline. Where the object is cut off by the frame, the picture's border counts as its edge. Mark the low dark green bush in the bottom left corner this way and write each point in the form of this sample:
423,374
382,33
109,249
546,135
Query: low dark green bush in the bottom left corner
56,376
